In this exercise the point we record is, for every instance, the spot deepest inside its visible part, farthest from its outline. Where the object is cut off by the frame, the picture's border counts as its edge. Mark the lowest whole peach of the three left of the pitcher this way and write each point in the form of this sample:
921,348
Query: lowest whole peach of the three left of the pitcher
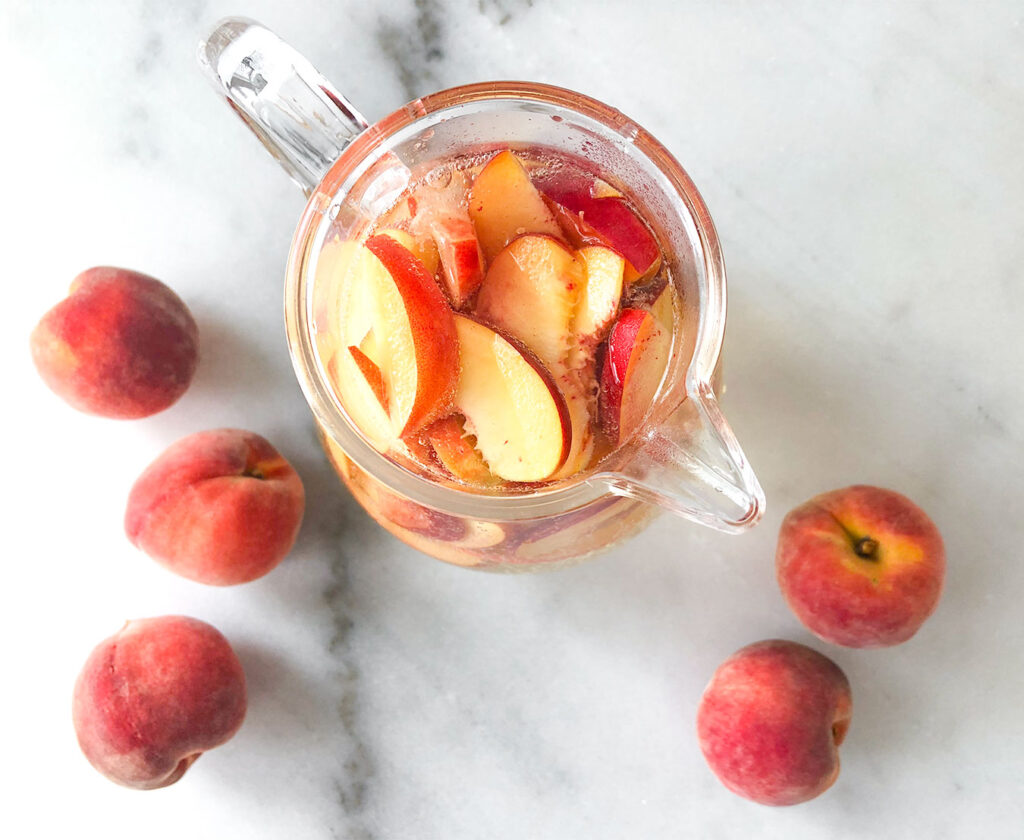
156,696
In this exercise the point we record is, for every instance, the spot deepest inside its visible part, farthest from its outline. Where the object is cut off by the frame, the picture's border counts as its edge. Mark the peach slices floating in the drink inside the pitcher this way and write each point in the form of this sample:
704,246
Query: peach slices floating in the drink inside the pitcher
503,327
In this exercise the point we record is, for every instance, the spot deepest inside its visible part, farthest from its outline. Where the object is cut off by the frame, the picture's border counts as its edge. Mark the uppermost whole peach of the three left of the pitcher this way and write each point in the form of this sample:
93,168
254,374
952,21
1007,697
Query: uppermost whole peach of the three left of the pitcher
122,345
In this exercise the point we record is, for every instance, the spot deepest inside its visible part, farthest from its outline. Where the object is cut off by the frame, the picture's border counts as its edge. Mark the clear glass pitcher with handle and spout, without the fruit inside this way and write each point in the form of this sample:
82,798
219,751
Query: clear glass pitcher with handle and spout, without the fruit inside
684,459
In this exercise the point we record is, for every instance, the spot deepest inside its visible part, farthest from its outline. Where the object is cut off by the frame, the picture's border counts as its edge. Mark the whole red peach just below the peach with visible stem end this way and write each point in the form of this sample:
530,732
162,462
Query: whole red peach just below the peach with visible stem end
772,721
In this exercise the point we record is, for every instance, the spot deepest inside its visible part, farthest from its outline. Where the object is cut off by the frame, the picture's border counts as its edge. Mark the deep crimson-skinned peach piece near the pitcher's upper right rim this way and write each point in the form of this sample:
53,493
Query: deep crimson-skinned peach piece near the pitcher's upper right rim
590,214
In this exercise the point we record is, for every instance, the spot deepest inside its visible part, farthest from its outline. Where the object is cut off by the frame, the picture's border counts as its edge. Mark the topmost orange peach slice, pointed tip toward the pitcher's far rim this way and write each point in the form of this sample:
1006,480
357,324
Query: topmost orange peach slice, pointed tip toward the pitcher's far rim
504,204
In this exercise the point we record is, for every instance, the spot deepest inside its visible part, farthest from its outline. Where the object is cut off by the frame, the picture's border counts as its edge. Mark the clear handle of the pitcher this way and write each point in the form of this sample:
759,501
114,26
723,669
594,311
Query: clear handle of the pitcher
294,111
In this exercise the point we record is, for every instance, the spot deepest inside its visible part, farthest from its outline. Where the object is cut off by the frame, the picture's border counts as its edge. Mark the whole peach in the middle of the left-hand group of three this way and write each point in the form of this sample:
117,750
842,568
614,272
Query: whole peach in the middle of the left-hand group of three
220,508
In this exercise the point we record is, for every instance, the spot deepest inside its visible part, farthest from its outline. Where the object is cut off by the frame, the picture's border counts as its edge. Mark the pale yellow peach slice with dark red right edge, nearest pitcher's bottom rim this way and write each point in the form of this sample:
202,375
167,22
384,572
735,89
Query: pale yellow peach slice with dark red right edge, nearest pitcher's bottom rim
511,404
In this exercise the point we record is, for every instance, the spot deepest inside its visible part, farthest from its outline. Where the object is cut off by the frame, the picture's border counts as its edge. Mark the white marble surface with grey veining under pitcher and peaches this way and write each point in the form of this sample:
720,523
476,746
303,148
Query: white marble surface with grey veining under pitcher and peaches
865,169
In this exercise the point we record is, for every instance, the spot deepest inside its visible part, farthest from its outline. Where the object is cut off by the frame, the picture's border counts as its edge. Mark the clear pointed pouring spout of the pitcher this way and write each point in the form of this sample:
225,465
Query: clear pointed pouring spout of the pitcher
694,467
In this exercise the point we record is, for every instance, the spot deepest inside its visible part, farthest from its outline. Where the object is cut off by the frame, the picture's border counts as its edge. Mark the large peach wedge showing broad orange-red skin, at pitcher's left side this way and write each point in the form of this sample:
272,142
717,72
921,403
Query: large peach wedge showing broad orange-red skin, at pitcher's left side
413,331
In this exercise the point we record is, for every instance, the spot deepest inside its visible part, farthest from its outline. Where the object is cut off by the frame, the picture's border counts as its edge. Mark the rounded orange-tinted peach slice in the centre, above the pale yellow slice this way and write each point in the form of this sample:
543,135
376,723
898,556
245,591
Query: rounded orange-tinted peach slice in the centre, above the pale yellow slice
531,291
